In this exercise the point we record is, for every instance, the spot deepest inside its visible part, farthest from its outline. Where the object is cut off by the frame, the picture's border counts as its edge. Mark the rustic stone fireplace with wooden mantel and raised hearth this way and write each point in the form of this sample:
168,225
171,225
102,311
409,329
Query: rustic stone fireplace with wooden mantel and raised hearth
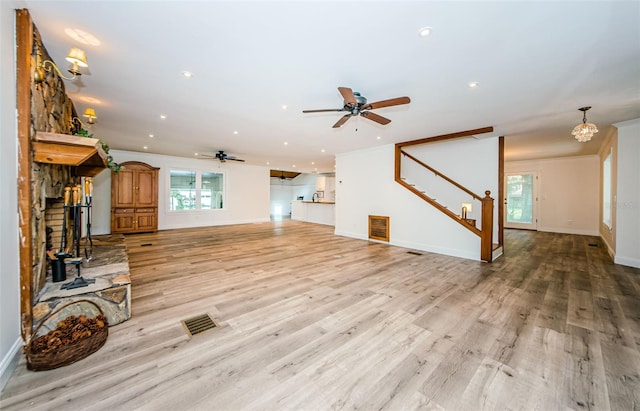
52,114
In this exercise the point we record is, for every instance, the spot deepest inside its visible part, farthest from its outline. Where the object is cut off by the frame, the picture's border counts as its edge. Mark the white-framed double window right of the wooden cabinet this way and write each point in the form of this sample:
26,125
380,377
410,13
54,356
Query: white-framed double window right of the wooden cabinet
195,190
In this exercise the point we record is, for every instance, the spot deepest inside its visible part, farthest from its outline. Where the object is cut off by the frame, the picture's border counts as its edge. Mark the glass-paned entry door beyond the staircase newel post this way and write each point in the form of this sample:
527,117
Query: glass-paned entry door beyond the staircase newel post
521,201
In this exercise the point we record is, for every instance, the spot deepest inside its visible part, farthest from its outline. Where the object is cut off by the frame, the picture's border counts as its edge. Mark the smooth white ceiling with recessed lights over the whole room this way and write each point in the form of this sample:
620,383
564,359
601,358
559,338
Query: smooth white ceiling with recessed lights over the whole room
536,64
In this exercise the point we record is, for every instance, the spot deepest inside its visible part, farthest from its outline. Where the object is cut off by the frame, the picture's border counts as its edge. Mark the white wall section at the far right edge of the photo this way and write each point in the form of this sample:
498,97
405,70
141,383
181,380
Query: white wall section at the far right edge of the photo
628,192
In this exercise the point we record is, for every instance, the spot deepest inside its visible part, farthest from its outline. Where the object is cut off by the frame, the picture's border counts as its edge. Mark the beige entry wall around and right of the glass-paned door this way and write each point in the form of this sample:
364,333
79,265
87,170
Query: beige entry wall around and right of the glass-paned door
568,193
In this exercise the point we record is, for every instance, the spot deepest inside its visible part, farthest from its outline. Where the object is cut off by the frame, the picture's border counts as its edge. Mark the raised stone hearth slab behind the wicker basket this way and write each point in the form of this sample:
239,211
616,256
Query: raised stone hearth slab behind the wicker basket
111,291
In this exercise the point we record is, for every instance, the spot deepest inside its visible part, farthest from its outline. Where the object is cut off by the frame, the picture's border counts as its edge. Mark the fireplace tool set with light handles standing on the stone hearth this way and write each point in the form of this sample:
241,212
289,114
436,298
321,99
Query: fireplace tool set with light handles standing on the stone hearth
73,209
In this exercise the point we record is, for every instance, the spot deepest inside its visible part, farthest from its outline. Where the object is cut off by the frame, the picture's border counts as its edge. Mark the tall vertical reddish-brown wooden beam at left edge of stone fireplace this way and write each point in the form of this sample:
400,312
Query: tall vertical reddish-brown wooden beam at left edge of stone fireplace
24,44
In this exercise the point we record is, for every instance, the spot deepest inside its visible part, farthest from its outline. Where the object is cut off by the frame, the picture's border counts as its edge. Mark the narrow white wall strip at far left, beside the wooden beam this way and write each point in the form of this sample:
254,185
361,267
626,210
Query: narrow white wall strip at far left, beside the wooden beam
10,340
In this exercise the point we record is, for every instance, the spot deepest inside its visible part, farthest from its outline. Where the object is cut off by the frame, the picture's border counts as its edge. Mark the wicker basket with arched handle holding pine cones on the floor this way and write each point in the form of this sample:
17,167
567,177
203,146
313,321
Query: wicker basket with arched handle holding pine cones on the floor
67,354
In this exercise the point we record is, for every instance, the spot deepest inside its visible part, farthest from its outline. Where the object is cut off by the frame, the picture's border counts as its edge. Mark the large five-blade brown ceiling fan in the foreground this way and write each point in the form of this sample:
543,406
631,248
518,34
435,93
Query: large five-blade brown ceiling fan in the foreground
356,105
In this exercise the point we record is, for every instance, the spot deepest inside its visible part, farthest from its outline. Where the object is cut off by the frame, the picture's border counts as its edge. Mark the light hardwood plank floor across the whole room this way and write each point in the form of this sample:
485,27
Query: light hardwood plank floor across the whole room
312,321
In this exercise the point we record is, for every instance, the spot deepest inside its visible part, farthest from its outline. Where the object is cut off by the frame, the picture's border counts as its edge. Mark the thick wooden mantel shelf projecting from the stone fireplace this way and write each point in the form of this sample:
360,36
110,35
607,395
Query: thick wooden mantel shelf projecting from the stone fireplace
84,153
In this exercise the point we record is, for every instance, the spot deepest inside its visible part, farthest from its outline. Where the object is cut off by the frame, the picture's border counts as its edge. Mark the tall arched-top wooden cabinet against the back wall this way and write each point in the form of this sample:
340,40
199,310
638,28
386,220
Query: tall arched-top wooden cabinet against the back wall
134,198
